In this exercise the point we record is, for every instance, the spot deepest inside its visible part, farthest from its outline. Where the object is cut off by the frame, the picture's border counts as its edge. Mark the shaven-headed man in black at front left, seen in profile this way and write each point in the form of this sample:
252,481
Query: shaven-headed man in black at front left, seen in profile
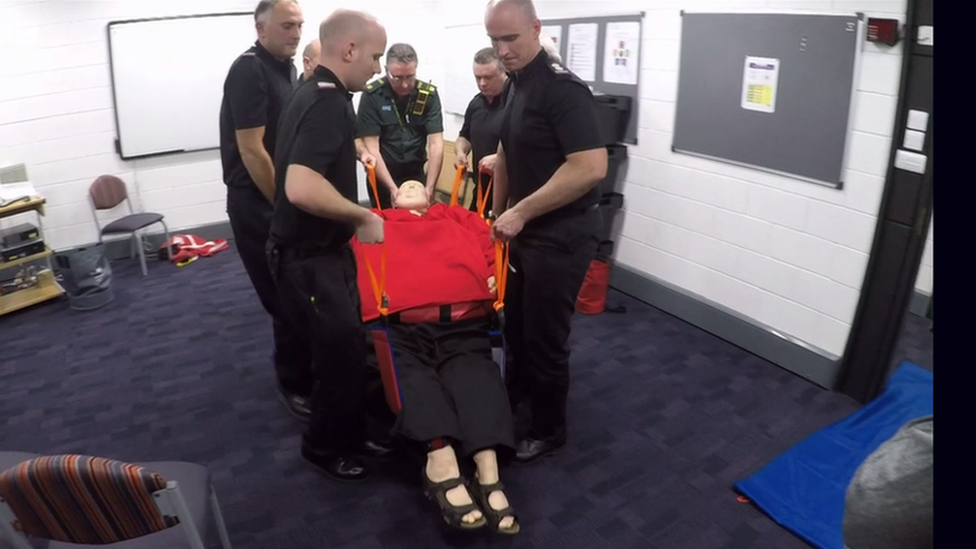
316,215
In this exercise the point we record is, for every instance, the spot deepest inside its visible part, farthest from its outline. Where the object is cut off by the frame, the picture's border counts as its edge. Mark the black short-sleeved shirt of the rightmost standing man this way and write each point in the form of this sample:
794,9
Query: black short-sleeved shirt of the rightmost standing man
549,114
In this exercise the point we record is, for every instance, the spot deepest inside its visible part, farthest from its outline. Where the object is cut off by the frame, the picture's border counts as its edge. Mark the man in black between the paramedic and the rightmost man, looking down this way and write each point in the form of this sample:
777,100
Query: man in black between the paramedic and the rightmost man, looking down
482,124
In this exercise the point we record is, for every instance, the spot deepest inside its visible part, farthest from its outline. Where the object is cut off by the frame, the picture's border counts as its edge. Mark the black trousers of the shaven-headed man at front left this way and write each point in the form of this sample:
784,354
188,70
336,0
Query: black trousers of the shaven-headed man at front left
319,291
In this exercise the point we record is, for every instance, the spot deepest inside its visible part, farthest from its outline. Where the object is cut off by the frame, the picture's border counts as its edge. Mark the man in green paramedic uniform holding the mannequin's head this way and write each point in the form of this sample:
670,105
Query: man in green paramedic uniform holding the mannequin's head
400,126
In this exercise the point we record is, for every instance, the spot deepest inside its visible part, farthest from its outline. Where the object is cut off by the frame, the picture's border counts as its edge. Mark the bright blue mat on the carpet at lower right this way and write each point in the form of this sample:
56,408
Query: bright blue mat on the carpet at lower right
804,488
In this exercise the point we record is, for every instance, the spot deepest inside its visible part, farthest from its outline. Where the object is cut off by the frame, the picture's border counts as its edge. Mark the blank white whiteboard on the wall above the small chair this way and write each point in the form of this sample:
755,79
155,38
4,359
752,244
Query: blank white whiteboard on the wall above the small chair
168,78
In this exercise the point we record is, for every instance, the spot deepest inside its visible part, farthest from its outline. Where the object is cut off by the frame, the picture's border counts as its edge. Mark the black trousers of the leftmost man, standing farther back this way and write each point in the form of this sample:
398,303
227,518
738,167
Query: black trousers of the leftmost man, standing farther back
250,220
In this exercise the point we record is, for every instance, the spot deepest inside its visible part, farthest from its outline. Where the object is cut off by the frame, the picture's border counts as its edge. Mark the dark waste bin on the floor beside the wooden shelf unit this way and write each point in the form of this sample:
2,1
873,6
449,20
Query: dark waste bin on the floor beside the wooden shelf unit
86,276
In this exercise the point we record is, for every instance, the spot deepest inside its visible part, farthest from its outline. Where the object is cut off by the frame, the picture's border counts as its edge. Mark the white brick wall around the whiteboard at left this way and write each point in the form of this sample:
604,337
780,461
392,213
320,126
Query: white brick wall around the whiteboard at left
56,106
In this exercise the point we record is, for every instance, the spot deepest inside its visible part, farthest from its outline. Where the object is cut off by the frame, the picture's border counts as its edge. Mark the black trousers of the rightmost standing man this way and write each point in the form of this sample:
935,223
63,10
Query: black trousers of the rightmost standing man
550,261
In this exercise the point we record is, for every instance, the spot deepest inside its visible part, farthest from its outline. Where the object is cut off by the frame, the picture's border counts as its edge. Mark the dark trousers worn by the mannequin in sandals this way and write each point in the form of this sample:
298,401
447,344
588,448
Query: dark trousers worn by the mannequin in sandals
450,387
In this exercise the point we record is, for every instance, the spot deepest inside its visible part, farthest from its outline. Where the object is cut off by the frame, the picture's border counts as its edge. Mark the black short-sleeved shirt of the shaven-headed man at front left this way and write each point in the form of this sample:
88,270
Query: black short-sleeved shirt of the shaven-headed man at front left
318,130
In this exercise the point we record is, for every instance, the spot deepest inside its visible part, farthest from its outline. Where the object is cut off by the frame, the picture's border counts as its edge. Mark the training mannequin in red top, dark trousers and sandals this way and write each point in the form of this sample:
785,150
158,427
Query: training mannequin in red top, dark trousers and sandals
440,265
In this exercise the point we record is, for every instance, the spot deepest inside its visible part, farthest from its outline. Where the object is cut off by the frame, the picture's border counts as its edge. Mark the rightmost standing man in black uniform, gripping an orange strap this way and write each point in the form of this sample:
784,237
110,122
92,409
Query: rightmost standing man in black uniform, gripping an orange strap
550,161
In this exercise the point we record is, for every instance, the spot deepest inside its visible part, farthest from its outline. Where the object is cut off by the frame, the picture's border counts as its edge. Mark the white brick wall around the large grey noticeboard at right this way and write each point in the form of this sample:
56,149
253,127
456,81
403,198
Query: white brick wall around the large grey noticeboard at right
789,254
